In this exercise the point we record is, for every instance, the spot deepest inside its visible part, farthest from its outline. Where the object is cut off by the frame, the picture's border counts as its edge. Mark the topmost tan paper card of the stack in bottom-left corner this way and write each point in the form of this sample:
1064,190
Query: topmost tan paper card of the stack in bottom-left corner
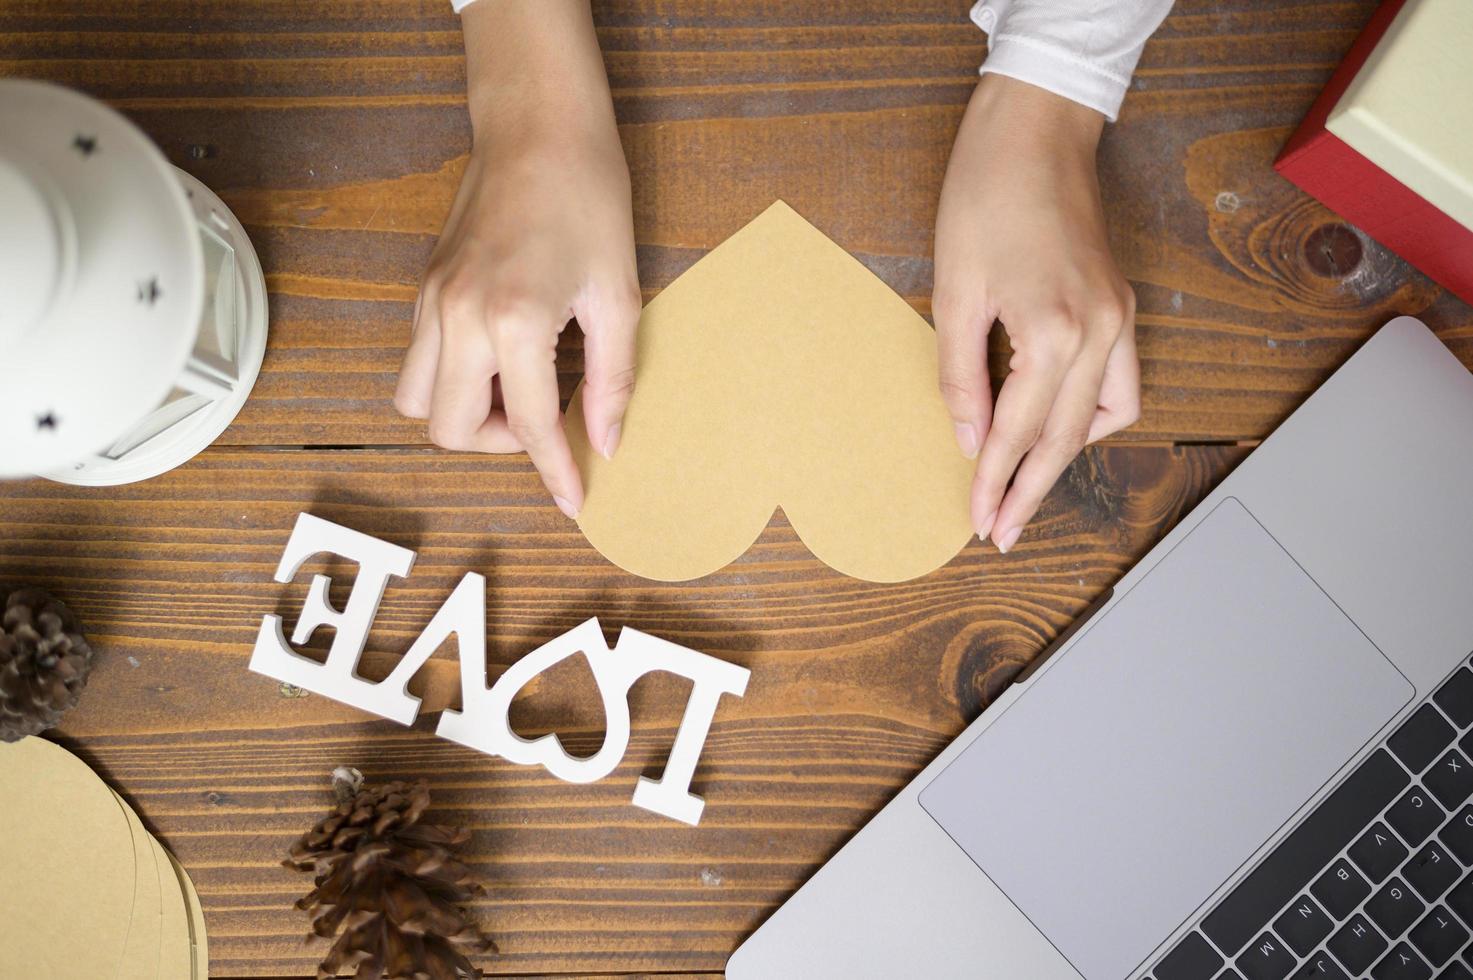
68,864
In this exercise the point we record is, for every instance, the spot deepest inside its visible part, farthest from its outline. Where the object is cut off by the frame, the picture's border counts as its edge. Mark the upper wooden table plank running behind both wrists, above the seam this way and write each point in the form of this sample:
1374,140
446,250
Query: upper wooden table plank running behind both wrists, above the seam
337,132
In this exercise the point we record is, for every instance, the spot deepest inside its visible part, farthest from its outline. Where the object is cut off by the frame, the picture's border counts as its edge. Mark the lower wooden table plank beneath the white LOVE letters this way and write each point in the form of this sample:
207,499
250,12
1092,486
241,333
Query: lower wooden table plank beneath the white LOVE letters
855,686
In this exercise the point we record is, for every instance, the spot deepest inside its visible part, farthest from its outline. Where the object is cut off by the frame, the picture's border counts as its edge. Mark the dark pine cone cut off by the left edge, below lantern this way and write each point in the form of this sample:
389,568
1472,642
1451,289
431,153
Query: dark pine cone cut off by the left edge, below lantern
43,664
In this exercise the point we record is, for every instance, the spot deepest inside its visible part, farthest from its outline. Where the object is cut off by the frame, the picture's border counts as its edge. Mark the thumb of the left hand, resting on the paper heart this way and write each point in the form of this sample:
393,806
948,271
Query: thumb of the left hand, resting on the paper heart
611,323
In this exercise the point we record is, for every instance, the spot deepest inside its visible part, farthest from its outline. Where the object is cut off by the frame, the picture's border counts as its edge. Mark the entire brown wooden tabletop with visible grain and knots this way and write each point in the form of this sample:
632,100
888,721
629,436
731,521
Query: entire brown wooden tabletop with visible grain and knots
337,132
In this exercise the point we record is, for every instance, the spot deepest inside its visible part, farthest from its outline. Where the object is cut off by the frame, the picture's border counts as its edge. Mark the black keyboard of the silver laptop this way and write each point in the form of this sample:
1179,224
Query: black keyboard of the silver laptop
1377,882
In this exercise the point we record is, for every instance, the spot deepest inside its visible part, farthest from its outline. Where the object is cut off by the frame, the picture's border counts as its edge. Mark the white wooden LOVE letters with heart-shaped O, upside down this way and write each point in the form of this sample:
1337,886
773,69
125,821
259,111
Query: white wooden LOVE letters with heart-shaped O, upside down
484,718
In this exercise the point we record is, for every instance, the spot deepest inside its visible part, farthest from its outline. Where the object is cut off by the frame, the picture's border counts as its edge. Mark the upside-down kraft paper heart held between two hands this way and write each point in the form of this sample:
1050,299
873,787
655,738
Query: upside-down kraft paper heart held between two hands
780,372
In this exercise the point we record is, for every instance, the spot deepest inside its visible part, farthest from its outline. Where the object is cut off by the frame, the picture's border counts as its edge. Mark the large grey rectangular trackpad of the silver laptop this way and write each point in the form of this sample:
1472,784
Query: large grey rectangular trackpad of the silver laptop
1178,735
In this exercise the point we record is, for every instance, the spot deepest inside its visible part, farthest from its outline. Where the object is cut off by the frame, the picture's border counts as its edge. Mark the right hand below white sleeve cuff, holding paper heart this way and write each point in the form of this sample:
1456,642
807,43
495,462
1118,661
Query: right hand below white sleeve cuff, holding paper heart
1020,238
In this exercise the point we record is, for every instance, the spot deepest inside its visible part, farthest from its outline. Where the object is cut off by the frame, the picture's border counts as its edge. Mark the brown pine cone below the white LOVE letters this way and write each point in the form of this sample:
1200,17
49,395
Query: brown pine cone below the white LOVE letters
393,886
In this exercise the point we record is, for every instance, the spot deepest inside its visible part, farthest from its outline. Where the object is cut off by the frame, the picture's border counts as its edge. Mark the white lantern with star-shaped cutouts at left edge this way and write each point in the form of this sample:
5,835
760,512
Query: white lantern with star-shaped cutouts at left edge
133,310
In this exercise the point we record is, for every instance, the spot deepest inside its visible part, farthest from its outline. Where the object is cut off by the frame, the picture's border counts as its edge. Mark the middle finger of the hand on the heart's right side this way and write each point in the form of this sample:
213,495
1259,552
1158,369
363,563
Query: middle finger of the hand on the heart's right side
1064,435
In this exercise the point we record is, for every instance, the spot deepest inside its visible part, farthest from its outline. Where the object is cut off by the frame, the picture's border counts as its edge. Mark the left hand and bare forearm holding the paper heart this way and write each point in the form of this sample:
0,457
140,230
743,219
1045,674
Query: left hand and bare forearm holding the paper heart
541,232
